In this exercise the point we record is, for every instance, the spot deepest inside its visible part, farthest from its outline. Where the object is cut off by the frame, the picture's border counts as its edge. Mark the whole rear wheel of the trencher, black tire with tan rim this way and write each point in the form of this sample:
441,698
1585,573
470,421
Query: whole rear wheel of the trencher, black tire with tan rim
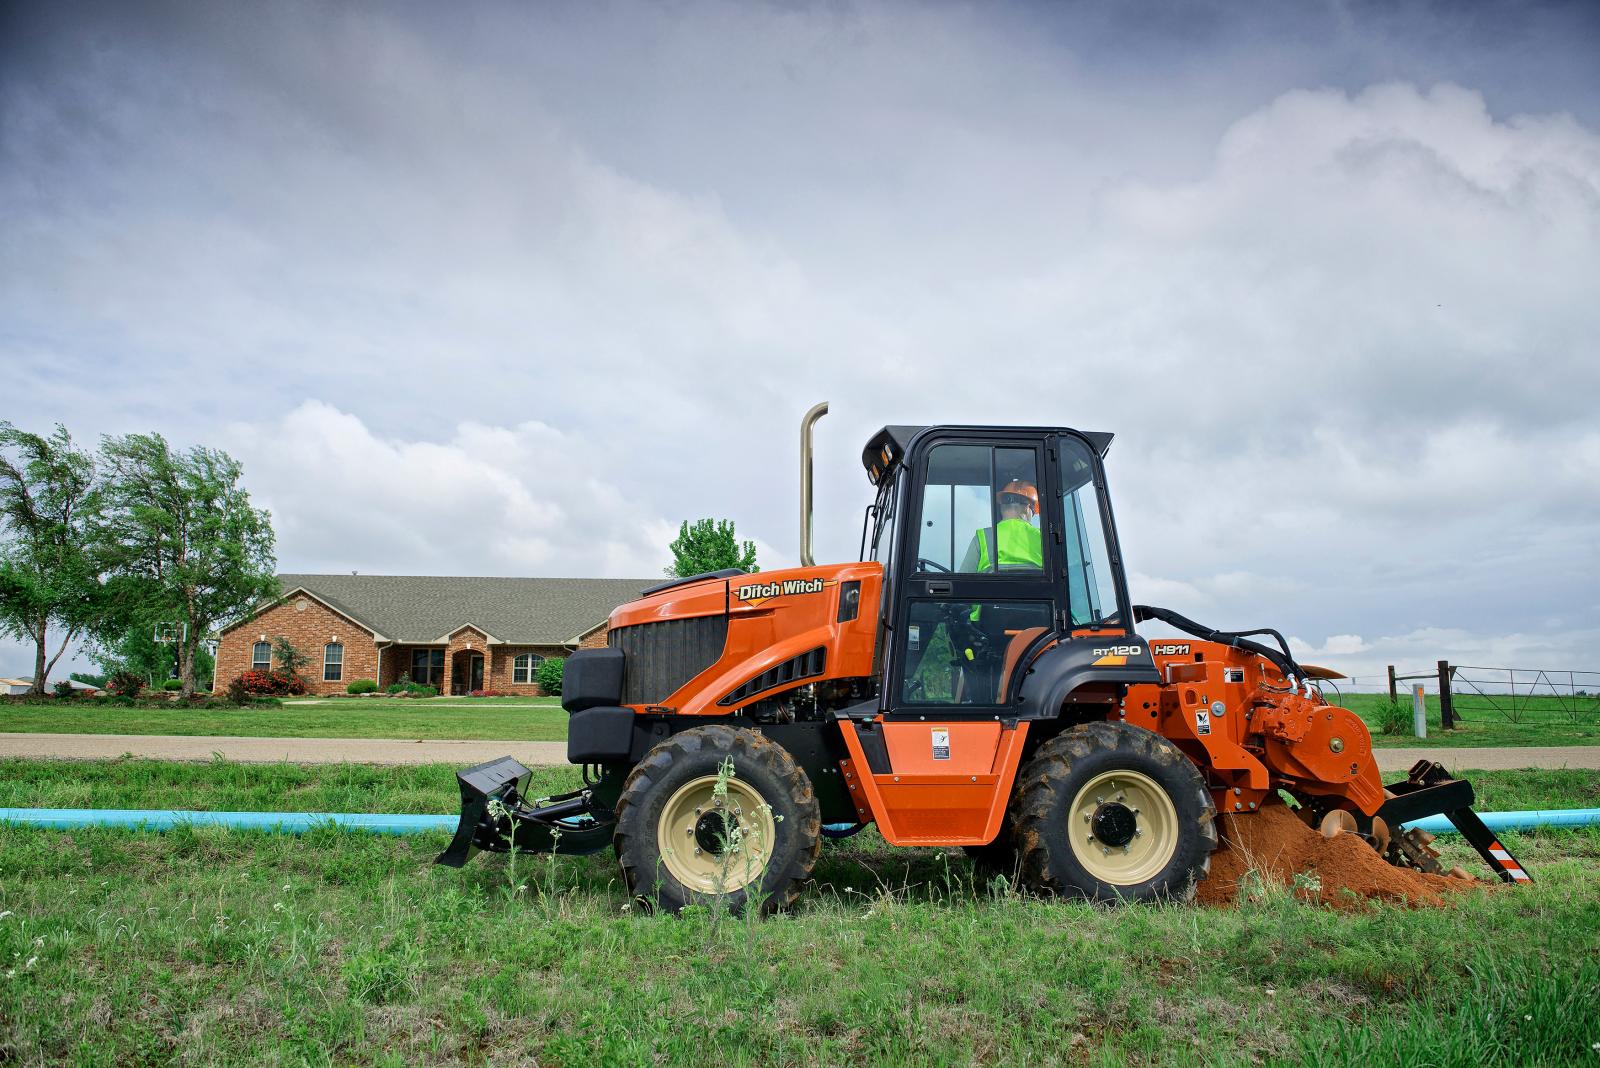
1114,813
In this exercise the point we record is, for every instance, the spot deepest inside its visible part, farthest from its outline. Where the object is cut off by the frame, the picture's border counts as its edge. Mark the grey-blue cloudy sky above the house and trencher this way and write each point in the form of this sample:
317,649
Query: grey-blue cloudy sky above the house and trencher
514,290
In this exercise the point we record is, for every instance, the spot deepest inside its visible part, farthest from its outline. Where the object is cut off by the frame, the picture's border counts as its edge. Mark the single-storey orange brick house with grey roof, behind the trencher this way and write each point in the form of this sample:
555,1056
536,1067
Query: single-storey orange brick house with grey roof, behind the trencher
458,634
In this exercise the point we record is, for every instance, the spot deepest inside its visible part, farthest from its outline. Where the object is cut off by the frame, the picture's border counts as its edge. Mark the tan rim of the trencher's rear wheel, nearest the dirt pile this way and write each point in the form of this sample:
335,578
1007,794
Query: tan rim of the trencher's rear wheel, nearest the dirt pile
1124,827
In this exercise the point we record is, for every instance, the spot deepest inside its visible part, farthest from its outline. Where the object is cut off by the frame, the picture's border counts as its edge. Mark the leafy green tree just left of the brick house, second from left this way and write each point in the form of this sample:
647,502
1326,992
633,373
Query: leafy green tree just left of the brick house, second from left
186,543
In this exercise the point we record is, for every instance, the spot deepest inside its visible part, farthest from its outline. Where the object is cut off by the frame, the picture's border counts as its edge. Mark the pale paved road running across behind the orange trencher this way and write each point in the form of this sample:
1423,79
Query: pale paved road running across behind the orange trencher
548,754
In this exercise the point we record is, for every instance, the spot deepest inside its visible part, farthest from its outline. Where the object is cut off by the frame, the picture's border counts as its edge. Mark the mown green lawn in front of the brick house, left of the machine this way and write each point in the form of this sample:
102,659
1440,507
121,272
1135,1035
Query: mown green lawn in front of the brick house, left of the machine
441,719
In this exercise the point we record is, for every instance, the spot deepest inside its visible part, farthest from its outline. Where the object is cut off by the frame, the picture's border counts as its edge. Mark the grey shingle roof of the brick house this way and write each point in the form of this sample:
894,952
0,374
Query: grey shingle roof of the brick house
518,612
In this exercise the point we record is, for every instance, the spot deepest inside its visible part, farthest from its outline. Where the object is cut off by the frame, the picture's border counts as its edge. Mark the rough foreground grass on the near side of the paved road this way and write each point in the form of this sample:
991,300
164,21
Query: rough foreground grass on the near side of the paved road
215,947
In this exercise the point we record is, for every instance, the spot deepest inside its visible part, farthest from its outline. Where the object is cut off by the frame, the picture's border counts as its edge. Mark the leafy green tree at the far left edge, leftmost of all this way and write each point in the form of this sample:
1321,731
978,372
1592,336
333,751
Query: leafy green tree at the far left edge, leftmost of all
49,570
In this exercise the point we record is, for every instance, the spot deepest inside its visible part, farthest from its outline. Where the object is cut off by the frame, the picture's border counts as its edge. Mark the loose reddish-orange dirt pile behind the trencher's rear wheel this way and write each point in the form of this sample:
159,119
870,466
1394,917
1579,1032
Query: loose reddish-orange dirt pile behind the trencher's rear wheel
1342,872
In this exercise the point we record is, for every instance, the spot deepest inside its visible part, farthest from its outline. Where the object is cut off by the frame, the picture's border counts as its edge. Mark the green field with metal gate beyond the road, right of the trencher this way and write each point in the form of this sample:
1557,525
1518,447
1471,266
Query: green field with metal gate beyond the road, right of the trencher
1545,722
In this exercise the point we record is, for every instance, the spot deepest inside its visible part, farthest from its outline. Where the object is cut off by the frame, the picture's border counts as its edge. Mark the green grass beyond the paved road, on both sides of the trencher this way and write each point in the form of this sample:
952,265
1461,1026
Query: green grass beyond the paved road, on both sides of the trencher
545,722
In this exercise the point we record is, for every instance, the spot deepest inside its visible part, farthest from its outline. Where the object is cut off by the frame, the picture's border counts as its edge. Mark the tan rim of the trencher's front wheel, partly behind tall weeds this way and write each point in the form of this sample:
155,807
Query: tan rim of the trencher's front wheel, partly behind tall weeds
716,840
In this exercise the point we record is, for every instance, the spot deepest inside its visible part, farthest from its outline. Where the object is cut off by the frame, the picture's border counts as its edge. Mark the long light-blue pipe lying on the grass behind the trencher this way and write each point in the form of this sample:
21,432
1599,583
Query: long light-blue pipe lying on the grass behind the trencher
401,824
